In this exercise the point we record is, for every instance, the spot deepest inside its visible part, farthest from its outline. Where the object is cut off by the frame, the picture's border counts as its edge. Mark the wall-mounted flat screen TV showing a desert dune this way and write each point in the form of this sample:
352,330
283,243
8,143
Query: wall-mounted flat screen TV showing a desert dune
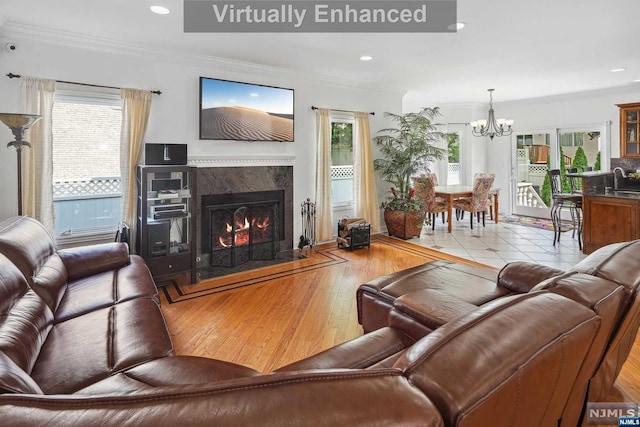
244,111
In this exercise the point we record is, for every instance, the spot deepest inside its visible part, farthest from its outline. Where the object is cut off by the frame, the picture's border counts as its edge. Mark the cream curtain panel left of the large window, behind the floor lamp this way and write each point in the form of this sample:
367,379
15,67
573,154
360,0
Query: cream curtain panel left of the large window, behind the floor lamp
36,97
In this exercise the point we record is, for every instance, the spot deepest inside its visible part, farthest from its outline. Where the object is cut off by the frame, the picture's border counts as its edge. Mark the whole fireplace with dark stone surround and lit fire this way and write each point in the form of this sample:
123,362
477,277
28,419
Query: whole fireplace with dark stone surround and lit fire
227,243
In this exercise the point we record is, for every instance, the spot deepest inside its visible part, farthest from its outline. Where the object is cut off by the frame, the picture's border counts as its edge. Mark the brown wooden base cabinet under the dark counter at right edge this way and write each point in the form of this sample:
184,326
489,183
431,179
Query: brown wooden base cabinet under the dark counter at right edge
609,220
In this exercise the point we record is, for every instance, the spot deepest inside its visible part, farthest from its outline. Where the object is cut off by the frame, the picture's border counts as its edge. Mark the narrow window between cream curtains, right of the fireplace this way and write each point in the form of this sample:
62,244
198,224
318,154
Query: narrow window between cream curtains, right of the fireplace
342,160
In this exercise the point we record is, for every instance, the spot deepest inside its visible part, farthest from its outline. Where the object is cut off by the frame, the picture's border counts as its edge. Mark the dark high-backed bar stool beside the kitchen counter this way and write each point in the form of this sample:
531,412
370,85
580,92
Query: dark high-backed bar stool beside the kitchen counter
560,200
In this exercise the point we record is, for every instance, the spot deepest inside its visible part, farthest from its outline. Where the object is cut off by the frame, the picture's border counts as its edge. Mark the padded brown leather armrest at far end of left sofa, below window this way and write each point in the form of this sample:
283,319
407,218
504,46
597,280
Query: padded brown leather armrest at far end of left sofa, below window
86,261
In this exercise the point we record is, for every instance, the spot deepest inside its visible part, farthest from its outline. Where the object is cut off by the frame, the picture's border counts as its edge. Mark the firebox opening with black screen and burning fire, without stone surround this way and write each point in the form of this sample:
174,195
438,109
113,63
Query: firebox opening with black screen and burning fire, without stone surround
243,227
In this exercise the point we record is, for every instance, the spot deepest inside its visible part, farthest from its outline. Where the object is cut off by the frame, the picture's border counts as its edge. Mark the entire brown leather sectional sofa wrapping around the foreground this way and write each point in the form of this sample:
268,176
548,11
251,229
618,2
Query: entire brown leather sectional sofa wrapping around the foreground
83,342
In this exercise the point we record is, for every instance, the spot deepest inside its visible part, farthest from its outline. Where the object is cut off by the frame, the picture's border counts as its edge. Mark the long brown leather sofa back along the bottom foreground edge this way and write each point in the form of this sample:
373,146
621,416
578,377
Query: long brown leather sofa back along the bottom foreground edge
316,398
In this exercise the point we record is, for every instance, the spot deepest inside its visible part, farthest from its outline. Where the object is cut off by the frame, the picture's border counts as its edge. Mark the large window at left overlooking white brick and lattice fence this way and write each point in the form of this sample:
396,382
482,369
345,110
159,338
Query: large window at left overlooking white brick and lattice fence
86,163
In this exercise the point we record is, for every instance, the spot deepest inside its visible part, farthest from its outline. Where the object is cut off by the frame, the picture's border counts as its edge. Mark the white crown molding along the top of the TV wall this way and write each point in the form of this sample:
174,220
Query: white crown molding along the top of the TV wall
152,53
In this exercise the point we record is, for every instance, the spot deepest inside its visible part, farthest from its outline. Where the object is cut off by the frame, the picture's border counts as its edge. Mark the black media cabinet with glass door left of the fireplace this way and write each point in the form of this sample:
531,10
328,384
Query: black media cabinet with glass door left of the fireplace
166,221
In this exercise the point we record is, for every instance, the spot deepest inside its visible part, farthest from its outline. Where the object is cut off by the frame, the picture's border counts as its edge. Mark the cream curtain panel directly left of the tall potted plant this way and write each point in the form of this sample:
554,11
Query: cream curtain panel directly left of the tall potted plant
365,192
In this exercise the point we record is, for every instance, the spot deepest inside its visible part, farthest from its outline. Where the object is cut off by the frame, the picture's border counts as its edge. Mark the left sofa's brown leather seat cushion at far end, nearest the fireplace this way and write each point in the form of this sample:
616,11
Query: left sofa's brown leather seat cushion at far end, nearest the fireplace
106,289
